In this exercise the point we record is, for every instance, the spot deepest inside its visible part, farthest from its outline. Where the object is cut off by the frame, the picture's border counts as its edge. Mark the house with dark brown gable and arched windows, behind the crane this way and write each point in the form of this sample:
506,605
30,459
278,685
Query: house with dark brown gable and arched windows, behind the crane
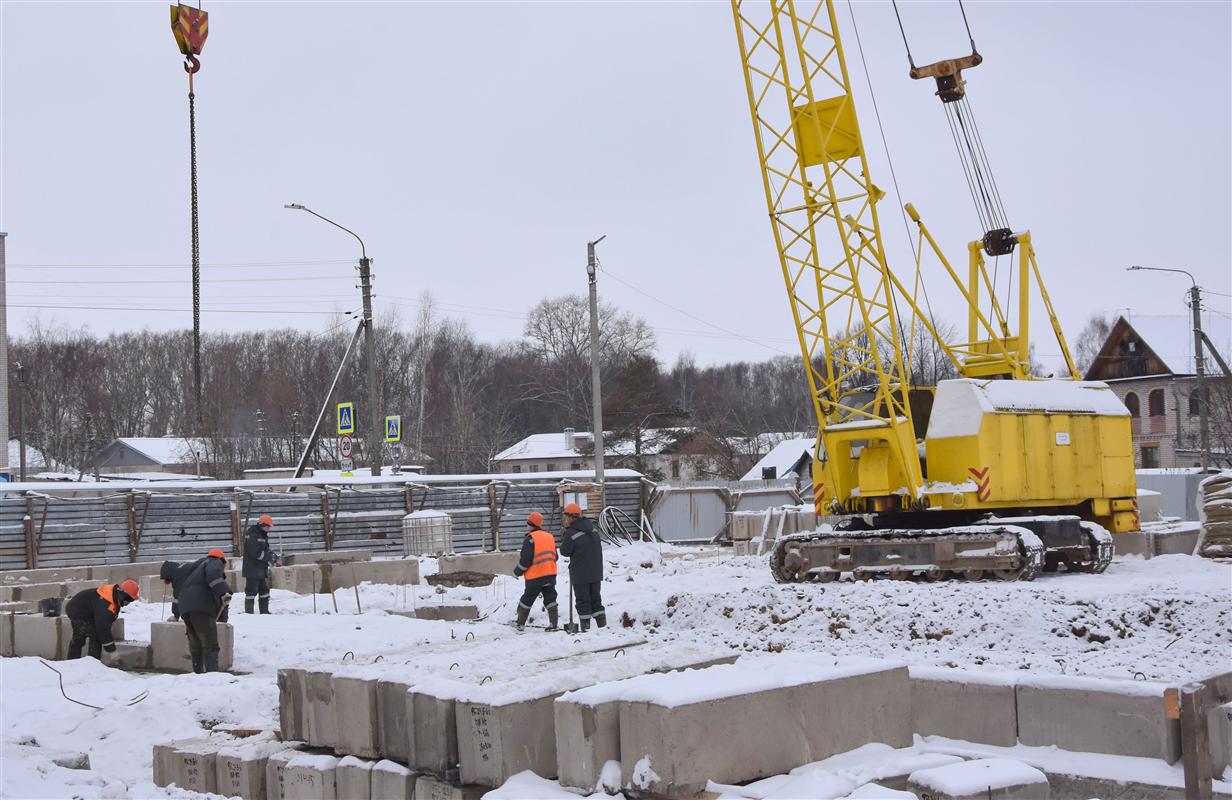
1149,363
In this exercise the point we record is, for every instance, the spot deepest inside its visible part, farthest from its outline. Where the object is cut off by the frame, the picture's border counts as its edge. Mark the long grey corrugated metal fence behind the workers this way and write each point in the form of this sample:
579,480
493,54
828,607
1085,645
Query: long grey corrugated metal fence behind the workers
47,529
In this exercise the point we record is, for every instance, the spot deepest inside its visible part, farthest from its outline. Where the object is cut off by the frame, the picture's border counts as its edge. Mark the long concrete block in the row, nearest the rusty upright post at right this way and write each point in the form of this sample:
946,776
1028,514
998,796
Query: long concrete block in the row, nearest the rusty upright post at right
1093,716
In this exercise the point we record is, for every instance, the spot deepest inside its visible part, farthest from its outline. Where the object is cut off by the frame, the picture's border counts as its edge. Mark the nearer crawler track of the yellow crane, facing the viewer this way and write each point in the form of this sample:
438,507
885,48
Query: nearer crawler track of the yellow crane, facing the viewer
1007,553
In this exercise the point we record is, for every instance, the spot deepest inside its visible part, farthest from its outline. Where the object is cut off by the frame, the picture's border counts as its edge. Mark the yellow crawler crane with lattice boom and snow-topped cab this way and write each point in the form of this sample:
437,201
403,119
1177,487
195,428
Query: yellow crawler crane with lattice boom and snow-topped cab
995,474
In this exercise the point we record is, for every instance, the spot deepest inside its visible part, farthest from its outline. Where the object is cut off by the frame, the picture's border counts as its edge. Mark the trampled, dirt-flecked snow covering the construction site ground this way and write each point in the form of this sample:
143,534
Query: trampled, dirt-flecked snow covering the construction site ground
1169,619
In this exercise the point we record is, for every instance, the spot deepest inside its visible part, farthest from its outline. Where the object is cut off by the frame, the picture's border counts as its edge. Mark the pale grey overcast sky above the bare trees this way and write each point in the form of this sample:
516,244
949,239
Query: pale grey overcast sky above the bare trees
477,147
